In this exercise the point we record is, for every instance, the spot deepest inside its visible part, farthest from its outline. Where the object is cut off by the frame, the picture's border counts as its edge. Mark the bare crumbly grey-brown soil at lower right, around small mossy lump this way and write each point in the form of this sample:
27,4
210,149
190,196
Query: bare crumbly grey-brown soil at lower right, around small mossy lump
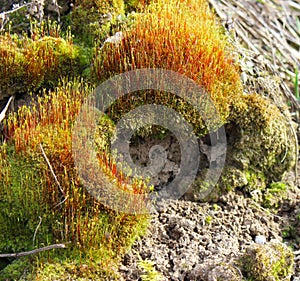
203,241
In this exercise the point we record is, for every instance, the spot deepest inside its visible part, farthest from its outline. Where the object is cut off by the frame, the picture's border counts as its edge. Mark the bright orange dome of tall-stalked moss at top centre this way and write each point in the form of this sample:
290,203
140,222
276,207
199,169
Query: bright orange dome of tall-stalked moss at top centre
182,36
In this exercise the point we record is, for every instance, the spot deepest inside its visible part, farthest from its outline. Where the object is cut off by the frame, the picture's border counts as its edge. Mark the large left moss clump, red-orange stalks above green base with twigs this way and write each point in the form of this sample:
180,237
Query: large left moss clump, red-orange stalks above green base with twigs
33,205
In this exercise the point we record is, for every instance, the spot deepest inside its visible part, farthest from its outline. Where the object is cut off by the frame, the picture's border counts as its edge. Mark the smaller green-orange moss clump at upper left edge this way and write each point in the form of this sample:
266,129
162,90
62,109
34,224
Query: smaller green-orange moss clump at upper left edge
28,64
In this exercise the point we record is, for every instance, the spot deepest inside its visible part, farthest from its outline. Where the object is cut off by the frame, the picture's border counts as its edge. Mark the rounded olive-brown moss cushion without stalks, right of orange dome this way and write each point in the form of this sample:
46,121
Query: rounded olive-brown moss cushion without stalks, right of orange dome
264,138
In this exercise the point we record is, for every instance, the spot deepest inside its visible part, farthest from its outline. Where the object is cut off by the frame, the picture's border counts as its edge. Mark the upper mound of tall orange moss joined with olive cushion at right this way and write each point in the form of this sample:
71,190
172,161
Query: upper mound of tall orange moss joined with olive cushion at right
185,37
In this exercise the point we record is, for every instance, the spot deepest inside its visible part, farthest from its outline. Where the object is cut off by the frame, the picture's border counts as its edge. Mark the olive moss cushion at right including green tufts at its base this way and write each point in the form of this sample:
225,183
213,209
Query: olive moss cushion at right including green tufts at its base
261,147
